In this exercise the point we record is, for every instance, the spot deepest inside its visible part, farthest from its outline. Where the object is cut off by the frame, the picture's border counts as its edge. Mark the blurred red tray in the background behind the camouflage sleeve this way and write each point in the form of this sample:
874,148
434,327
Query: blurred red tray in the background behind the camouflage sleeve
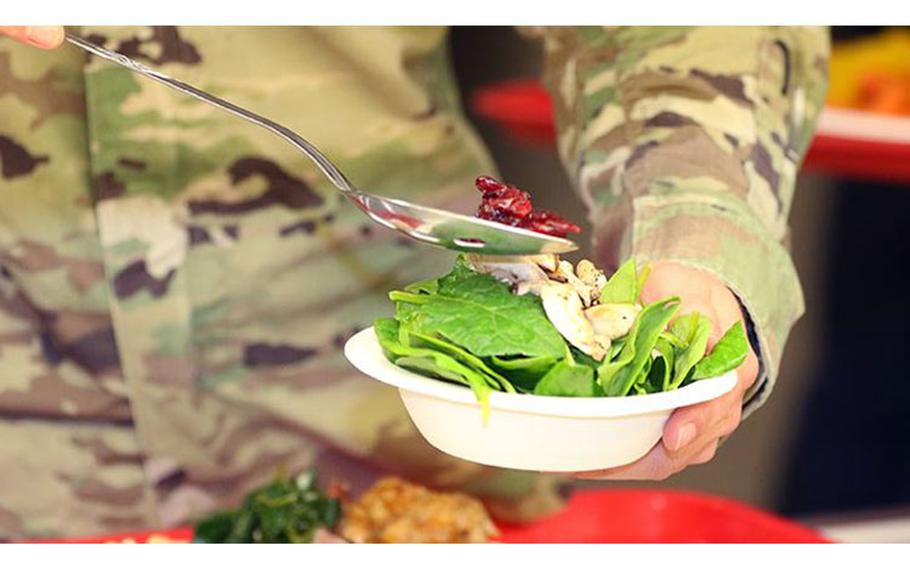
847,143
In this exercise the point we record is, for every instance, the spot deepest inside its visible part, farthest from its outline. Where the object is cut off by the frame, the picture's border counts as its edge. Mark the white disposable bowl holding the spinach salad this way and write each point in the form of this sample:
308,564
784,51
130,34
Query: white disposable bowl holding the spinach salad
529,432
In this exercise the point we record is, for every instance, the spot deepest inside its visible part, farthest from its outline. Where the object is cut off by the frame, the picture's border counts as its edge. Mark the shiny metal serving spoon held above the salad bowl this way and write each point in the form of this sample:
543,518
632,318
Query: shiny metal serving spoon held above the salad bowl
425,224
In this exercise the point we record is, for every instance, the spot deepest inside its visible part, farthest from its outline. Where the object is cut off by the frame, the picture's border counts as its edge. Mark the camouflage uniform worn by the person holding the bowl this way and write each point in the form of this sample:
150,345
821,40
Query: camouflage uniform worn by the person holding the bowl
176,284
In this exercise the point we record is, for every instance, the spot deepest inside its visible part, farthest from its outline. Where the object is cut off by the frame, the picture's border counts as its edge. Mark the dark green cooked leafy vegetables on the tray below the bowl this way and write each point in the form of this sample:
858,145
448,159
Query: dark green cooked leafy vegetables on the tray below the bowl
285,511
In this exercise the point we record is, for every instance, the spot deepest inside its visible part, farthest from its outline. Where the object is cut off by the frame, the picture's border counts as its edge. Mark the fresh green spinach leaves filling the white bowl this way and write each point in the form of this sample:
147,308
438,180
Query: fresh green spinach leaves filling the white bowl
471,328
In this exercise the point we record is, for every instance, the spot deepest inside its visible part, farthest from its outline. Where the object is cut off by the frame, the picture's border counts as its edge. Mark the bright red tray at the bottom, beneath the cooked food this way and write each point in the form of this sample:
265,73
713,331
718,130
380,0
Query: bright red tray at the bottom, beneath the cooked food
617,516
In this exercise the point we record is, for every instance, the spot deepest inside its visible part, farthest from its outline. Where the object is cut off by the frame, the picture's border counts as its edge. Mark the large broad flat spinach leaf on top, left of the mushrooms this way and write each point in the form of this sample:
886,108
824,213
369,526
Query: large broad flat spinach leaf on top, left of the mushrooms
481,314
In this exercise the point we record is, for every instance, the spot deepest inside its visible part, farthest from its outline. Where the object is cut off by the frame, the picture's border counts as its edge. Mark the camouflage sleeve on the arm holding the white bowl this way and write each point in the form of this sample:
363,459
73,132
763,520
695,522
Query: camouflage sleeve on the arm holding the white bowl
684,144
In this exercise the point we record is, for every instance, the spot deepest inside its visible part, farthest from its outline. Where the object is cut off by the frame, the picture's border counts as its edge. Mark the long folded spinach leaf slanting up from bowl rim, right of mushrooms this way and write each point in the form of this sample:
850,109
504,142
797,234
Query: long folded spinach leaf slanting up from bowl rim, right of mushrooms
618,380
